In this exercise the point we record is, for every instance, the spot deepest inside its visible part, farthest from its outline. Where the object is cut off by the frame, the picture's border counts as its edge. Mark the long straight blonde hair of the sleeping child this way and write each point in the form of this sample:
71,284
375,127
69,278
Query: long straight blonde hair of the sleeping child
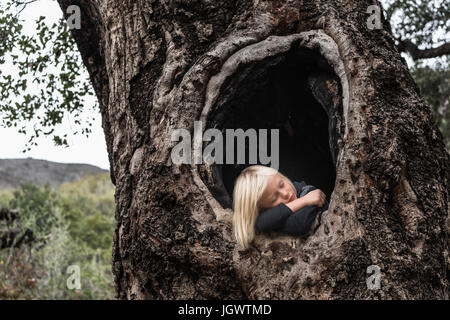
248,189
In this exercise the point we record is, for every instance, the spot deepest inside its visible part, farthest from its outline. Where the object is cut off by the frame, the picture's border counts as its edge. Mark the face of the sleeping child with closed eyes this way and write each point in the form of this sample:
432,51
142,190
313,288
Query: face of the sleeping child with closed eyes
277,191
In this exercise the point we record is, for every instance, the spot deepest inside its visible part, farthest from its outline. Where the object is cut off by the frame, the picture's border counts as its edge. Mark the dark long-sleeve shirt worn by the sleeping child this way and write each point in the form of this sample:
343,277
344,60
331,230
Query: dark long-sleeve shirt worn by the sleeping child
282,219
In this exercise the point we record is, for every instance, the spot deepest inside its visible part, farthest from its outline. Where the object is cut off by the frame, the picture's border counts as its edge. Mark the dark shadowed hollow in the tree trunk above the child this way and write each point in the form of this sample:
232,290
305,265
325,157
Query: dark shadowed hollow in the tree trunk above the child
296,92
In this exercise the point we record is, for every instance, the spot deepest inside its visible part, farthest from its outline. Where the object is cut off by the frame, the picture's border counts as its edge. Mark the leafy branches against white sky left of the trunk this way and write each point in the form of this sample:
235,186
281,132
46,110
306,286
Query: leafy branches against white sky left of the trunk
52,80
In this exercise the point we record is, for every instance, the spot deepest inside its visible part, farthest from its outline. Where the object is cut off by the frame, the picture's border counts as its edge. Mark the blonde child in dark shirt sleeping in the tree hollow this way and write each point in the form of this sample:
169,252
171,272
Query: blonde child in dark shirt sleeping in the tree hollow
265,200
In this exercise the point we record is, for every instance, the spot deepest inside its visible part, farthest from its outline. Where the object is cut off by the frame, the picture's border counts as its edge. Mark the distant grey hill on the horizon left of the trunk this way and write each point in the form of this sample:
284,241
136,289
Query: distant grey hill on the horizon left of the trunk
13,172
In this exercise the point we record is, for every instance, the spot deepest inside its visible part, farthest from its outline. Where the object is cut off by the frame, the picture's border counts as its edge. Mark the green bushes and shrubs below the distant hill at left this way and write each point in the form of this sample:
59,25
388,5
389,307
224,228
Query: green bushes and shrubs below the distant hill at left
78,229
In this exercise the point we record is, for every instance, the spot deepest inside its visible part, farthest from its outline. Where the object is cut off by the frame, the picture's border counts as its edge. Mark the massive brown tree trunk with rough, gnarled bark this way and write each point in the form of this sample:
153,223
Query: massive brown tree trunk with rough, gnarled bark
367,139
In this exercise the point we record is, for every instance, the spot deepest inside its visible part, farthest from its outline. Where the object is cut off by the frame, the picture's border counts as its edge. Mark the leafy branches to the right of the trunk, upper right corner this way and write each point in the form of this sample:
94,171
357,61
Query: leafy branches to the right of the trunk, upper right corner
426,25
